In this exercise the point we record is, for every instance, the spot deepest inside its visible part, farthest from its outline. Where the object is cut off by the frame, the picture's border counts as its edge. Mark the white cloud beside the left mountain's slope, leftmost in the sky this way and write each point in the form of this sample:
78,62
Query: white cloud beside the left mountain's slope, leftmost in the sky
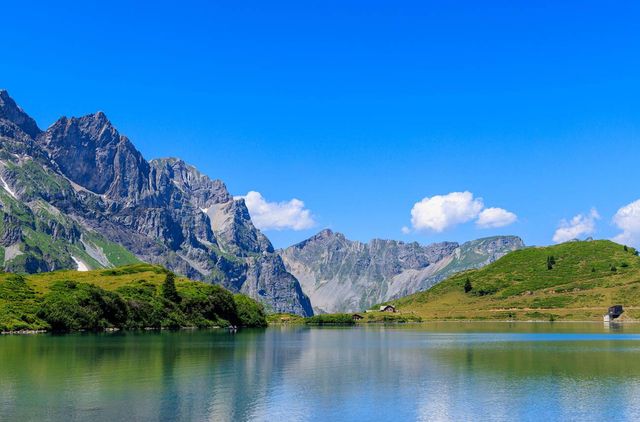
278,215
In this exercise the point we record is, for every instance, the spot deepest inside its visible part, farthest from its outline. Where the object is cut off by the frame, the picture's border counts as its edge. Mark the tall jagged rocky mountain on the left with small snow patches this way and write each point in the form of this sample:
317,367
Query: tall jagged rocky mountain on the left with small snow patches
80,195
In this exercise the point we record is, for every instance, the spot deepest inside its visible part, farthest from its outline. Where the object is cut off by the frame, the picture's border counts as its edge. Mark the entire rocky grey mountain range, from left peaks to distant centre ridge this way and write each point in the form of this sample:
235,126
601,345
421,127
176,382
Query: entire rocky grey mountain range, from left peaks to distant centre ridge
79,195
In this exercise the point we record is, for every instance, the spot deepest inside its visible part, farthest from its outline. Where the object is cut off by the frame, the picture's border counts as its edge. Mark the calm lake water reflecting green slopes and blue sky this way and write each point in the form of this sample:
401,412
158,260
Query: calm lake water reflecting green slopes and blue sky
443,371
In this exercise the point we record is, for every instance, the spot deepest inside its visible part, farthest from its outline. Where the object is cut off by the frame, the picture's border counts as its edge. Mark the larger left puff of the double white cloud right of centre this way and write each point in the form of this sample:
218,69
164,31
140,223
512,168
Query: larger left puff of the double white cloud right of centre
443,211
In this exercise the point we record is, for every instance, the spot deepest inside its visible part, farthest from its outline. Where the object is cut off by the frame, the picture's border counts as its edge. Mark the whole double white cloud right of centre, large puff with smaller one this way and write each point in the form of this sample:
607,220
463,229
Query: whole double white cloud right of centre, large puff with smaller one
441,212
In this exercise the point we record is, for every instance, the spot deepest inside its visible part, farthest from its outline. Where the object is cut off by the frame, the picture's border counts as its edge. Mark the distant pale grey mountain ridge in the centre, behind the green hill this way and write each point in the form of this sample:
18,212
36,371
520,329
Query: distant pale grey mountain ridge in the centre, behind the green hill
341,275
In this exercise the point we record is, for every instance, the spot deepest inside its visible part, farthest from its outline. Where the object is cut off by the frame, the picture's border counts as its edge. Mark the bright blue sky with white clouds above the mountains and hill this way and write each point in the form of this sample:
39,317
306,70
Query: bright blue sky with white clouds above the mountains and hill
361,109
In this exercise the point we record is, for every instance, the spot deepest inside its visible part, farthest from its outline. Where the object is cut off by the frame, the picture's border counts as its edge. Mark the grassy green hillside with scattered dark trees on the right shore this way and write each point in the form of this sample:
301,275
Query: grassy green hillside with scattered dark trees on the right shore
571,281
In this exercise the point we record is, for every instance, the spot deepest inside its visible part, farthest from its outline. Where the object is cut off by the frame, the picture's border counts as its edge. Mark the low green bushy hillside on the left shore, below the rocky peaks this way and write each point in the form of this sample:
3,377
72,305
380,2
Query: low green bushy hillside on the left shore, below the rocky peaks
129,297
